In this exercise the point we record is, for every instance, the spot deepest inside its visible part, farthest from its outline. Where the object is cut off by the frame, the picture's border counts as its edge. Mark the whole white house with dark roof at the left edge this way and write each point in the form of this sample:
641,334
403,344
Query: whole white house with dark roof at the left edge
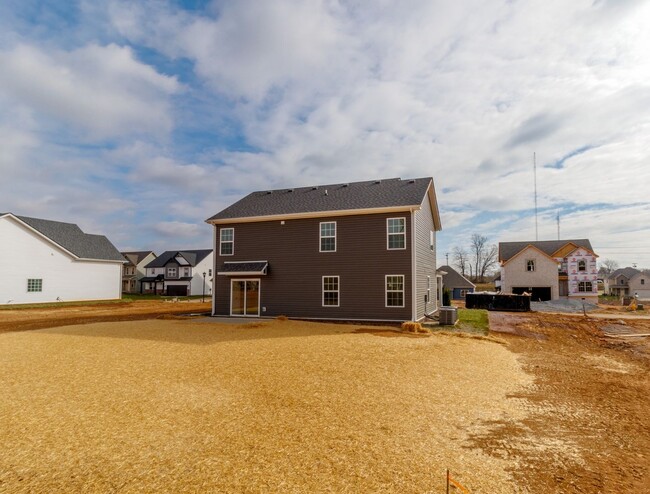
49,261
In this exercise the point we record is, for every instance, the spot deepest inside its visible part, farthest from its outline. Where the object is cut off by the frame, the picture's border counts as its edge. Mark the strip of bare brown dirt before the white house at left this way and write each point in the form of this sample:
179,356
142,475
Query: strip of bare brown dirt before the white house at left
49,317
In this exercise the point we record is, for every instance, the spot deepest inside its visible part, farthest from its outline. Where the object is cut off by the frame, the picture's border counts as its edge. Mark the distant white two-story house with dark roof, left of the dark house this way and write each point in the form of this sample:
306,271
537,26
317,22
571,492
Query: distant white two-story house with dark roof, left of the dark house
179,273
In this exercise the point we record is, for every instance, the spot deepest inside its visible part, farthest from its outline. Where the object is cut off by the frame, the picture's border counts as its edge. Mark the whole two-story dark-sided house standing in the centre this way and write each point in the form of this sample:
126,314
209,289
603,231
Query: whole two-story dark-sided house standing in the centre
351,251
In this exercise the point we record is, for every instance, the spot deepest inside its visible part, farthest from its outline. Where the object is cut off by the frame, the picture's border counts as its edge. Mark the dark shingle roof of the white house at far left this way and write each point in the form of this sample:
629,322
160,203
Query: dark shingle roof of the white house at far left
74,240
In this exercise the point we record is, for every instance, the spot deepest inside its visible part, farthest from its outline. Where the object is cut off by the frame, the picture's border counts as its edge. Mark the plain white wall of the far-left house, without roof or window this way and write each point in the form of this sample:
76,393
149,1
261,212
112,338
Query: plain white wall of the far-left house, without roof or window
26,255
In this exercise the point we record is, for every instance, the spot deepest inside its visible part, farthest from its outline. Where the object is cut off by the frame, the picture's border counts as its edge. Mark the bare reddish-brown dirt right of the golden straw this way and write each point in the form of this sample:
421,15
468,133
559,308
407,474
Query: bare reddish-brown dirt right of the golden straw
588,428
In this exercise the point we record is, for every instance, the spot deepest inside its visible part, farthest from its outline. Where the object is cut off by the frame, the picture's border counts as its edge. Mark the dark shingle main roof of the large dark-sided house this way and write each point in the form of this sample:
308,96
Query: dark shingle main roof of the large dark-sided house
373,194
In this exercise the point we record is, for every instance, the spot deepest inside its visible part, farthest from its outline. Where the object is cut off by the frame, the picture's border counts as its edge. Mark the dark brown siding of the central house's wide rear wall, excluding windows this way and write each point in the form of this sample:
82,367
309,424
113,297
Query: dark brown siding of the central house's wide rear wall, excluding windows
293,284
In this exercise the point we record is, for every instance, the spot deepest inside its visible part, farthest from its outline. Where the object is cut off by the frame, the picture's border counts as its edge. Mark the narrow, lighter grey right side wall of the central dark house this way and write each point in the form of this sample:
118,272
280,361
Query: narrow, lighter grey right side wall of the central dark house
425,259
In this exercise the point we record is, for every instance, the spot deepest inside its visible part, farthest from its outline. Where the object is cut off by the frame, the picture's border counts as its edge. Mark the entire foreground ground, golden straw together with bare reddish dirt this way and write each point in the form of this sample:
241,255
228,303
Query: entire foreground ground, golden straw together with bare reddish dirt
546,404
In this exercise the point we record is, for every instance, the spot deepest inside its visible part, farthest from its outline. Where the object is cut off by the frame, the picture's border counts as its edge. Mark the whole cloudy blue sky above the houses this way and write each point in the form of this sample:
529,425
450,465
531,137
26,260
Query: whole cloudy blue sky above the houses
139,120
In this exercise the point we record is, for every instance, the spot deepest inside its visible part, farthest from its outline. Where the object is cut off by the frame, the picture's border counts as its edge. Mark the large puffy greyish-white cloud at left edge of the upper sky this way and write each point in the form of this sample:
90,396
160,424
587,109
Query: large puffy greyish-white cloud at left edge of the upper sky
102,90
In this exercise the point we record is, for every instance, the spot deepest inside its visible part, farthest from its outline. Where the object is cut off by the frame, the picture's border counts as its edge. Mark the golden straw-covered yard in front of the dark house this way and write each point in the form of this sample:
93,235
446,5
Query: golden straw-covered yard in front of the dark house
281,406
